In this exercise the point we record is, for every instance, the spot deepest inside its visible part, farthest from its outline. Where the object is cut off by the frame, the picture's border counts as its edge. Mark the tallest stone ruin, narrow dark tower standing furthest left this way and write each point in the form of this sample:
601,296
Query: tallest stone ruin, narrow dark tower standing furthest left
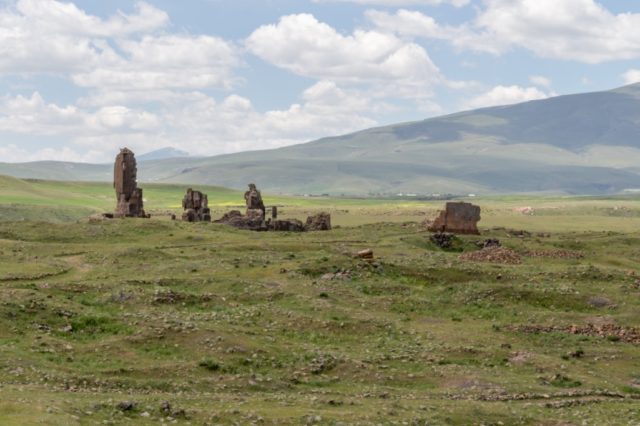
128,195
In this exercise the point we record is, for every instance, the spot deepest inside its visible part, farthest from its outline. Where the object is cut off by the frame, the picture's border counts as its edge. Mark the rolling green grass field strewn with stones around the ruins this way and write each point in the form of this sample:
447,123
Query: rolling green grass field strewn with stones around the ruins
104,322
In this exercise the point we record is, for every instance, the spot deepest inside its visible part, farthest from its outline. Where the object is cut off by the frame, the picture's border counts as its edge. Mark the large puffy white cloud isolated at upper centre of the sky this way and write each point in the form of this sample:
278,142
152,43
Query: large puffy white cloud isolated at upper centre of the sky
307,47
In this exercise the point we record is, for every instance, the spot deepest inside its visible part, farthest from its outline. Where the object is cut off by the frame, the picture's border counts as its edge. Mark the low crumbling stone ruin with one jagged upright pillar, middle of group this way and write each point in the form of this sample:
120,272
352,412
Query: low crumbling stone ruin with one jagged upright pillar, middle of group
254,217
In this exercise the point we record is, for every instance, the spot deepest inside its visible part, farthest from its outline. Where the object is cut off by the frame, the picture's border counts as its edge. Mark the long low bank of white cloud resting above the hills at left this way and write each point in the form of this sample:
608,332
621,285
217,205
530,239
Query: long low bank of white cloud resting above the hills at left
194,122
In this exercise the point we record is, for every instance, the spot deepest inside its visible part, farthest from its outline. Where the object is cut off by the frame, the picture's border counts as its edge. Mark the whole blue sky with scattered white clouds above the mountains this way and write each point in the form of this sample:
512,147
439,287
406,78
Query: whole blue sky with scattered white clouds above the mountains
81,79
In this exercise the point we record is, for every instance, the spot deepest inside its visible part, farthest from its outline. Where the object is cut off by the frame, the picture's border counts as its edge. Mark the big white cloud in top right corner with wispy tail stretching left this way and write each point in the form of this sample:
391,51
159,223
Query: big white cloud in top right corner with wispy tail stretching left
580,30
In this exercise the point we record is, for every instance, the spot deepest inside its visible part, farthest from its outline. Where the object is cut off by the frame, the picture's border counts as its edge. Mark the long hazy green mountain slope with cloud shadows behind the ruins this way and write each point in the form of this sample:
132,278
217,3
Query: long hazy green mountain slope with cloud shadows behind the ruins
579,144
